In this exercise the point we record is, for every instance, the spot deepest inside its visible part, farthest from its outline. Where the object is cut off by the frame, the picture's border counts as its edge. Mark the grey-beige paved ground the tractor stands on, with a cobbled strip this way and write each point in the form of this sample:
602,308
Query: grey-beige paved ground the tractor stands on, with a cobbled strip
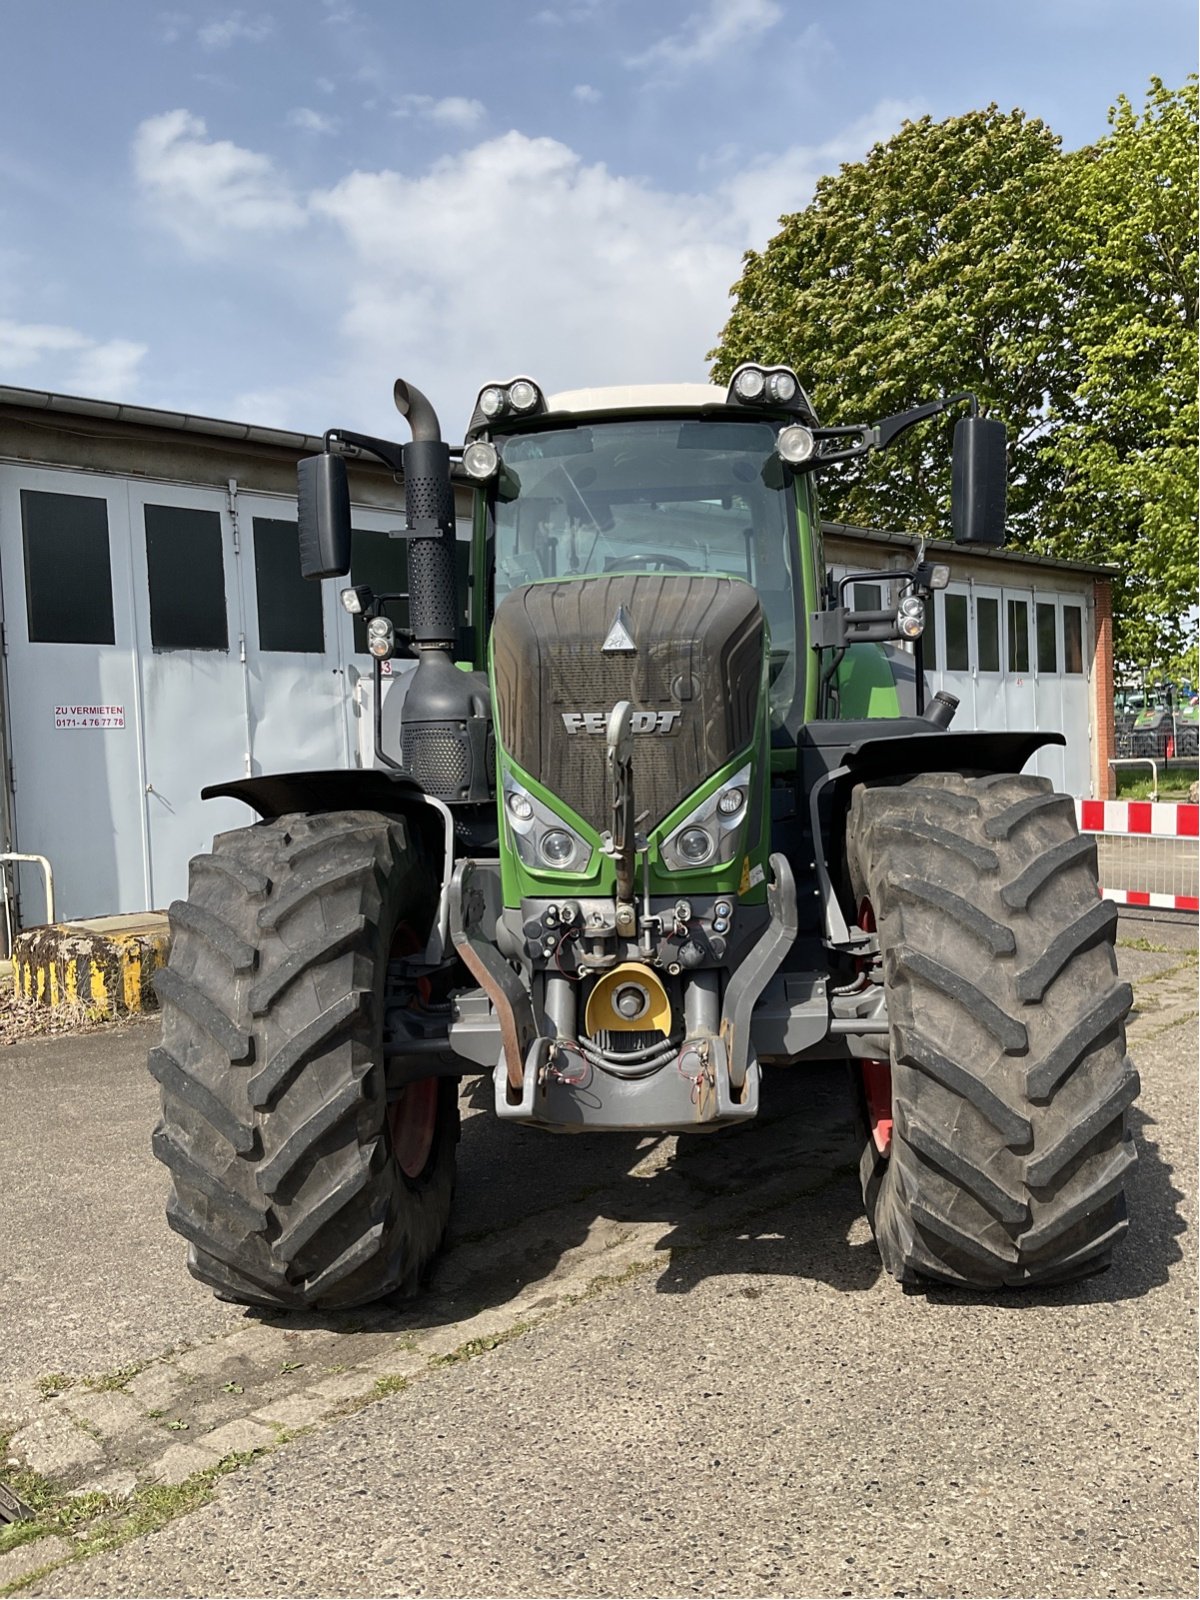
646,1367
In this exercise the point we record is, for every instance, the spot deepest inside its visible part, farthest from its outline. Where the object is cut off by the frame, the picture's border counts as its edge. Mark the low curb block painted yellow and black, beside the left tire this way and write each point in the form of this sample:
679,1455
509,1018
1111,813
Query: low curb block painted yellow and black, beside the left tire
105,964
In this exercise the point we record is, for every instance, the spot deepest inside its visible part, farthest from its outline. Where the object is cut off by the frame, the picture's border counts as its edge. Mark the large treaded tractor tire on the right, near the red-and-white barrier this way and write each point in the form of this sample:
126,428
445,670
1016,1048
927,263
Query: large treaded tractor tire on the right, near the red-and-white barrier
998,1143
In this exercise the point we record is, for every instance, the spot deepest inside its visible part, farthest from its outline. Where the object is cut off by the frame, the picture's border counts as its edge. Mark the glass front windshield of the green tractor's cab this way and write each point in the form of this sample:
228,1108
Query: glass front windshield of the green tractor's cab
654,497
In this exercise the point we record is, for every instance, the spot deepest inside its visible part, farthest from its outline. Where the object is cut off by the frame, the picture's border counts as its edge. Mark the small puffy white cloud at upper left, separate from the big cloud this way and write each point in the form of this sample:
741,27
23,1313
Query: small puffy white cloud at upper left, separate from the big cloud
207,191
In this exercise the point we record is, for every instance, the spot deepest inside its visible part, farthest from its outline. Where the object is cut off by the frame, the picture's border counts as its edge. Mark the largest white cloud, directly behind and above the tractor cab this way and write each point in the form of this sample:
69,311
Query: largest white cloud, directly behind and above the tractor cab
577,274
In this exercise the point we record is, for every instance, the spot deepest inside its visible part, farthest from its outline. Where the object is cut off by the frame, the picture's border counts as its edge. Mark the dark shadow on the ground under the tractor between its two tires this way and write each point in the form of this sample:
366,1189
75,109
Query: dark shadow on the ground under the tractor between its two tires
778,1196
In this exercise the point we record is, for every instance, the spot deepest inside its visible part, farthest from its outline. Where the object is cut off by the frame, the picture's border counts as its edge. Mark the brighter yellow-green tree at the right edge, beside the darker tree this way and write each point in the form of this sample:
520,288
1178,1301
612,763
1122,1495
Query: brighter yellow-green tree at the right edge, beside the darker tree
1127,454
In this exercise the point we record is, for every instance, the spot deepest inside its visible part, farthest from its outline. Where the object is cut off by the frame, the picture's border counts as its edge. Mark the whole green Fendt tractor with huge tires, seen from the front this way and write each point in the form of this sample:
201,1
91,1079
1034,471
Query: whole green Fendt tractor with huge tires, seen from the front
681,820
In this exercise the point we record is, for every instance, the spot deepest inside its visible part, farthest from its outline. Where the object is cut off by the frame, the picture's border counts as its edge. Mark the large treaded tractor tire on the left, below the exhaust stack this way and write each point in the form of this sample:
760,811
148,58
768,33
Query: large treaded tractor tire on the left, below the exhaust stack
295,1183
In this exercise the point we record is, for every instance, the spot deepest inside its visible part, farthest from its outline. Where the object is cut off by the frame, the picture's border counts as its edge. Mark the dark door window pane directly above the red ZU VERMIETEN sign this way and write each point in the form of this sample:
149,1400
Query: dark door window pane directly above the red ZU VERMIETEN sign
68,572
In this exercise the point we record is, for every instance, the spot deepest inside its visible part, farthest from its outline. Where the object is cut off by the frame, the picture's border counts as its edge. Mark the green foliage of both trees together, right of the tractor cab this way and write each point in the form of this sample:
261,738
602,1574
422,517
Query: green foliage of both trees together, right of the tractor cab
974,254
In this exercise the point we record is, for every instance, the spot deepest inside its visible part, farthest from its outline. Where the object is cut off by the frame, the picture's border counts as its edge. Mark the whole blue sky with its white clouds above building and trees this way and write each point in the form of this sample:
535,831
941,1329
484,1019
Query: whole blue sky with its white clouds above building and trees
270,212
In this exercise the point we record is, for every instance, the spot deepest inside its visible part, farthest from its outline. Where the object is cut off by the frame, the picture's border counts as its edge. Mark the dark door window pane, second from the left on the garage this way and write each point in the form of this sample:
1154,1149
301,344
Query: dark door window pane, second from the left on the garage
188,578
